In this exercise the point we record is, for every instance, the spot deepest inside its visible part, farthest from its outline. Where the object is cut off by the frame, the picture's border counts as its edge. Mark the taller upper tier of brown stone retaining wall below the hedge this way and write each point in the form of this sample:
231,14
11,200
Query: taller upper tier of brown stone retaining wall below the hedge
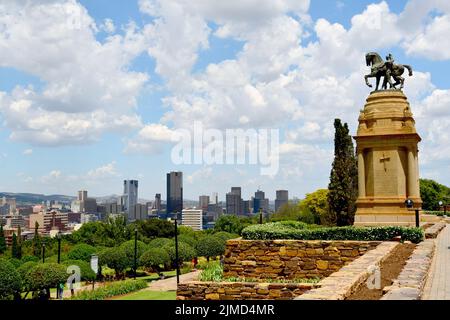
290,259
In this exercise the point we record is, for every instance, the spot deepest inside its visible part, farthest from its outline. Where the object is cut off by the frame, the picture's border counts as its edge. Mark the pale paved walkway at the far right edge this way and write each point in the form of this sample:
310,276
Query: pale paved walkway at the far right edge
438,283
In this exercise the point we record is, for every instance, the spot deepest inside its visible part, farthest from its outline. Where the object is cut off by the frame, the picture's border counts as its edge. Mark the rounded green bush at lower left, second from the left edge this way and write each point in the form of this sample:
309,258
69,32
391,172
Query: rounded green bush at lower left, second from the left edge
46,275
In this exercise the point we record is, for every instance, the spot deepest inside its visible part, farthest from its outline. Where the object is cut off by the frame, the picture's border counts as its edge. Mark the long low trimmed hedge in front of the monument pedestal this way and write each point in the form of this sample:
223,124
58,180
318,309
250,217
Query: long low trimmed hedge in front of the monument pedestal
272,231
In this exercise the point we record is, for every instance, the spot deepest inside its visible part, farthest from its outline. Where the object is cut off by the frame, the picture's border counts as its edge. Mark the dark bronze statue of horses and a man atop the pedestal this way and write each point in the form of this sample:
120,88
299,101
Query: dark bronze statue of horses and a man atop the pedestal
388,69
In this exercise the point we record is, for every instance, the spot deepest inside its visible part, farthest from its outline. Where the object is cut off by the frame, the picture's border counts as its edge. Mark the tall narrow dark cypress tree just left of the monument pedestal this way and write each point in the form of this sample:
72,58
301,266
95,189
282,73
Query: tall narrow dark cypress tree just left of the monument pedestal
343,187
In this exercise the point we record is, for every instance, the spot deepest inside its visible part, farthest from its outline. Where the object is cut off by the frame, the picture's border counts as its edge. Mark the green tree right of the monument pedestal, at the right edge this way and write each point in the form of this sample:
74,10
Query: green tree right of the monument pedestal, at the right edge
432,192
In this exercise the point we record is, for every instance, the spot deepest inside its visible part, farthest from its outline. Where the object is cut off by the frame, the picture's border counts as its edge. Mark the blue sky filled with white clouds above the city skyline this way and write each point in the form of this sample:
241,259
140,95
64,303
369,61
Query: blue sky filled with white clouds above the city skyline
91,90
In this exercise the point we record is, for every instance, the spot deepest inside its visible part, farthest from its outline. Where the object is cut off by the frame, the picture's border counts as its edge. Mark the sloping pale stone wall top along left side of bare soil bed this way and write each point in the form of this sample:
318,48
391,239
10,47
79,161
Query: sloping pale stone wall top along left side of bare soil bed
345,282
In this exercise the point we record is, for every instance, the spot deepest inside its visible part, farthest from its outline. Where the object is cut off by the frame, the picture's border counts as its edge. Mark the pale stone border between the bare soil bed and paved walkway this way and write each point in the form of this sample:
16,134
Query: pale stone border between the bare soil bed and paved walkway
411,281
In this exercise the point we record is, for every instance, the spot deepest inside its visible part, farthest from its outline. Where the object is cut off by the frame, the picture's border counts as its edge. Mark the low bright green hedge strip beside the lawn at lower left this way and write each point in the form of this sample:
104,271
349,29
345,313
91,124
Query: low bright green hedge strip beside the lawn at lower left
111,290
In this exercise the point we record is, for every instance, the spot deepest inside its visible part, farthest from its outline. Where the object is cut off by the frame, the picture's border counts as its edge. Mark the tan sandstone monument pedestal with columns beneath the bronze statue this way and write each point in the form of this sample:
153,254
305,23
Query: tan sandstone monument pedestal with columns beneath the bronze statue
388,170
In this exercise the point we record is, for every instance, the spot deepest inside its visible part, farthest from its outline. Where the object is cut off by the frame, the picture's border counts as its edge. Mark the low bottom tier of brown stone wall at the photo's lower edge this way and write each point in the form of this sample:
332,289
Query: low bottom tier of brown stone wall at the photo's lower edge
198,290
